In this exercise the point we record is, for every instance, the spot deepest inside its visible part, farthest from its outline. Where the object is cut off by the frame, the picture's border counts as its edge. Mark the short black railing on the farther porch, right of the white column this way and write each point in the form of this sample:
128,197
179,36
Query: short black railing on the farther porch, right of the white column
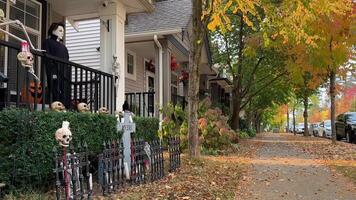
141,103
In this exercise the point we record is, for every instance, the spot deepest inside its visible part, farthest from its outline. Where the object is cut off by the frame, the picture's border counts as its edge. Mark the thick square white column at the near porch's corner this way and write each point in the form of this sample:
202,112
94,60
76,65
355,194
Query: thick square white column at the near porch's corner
112,44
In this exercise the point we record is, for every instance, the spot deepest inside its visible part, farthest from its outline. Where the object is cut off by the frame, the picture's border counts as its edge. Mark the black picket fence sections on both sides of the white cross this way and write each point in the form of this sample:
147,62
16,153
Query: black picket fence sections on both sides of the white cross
147,163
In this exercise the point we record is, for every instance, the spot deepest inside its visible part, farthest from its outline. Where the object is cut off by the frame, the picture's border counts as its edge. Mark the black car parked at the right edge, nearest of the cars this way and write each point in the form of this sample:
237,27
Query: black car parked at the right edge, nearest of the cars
346,126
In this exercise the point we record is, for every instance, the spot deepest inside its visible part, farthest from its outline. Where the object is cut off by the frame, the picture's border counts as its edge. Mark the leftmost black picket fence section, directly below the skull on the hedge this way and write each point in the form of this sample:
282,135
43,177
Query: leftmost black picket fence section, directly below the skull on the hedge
73,179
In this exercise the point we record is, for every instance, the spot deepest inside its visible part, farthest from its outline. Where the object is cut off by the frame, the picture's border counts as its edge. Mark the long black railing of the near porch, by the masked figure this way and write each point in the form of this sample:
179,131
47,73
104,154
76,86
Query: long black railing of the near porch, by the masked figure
60,80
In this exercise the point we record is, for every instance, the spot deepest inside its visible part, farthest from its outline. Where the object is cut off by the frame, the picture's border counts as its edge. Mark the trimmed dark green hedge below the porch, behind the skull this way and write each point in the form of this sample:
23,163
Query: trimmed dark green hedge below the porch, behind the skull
27,140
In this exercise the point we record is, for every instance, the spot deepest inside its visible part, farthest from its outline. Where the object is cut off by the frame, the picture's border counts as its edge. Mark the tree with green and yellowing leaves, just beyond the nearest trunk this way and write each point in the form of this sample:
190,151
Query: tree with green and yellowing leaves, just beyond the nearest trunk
252,66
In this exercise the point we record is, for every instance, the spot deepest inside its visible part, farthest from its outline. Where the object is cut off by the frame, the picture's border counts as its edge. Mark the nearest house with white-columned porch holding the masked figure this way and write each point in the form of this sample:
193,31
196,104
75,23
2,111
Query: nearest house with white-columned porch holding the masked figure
100,88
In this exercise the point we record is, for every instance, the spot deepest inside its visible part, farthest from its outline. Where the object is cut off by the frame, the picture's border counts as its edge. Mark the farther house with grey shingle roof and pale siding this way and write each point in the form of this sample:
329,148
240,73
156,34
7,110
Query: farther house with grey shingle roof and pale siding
156,51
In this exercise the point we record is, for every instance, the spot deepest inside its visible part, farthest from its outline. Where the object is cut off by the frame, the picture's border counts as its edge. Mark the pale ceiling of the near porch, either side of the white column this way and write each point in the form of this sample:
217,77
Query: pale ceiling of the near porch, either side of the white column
90,7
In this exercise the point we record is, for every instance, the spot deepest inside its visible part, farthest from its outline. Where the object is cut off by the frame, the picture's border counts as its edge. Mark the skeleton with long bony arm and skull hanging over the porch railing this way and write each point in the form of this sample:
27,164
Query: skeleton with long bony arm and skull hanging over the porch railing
25,56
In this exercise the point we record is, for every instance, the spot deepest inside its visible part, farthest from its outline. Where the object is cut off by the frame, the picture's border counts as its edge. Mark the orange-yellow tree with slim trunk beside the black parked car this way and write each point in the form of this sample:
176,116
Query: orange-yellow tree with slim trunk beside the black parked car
325,27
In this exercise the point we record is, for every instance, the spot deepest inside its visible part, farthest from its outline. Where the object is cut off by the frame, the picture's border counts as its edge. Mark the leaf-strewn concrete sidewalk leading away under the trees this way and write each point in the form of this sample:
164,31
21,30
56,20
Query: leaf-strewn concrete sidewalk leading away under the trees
282,171
